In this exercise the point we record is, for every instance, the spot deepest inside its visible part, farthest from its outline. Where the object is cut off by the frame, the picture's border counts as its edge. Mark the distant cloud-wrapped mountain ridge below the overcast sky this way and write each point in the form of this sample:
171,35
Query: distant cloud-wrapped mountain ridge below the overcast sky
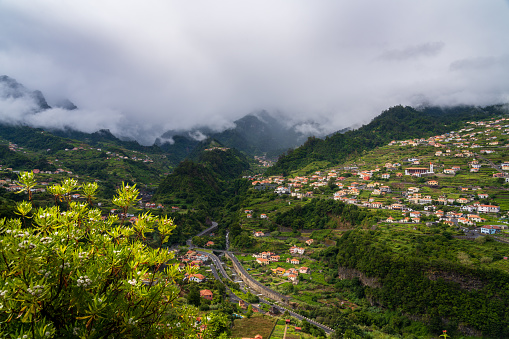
255,133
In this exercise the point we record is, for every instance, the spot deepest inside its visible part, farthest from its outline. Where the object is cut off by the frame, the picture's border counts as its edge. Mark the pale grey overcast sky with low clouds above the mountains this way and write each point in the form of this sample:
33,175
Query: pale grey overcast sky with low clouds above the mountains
150,66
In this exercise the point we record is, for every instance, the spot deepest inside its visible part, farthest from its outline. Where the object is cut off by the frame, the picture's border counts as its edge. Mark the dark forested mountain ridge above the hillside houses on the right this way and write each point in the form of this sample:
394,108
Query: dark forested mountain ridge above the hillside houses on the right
395,123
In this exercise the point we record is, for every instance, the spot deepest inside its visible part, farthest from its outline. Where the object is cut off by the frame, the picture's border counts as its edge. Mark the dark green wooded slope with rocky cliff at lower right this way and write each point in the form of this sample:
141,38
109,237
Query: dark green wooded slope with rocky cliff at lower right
427,281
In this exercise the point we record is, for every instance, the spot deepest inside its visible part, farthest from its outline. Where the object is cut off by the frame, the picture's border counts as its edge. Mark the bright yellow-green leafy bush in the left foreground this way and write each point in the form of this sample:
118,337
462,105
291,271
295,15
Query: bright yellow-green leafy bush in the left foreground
73,275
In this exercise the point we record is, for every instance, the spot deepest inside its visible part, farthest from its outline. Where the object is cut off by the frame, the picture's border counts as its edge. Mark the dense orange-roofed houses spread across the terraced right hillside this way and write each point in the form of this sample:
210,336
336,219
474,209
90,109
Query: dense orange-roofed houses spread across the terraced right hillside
349,193
